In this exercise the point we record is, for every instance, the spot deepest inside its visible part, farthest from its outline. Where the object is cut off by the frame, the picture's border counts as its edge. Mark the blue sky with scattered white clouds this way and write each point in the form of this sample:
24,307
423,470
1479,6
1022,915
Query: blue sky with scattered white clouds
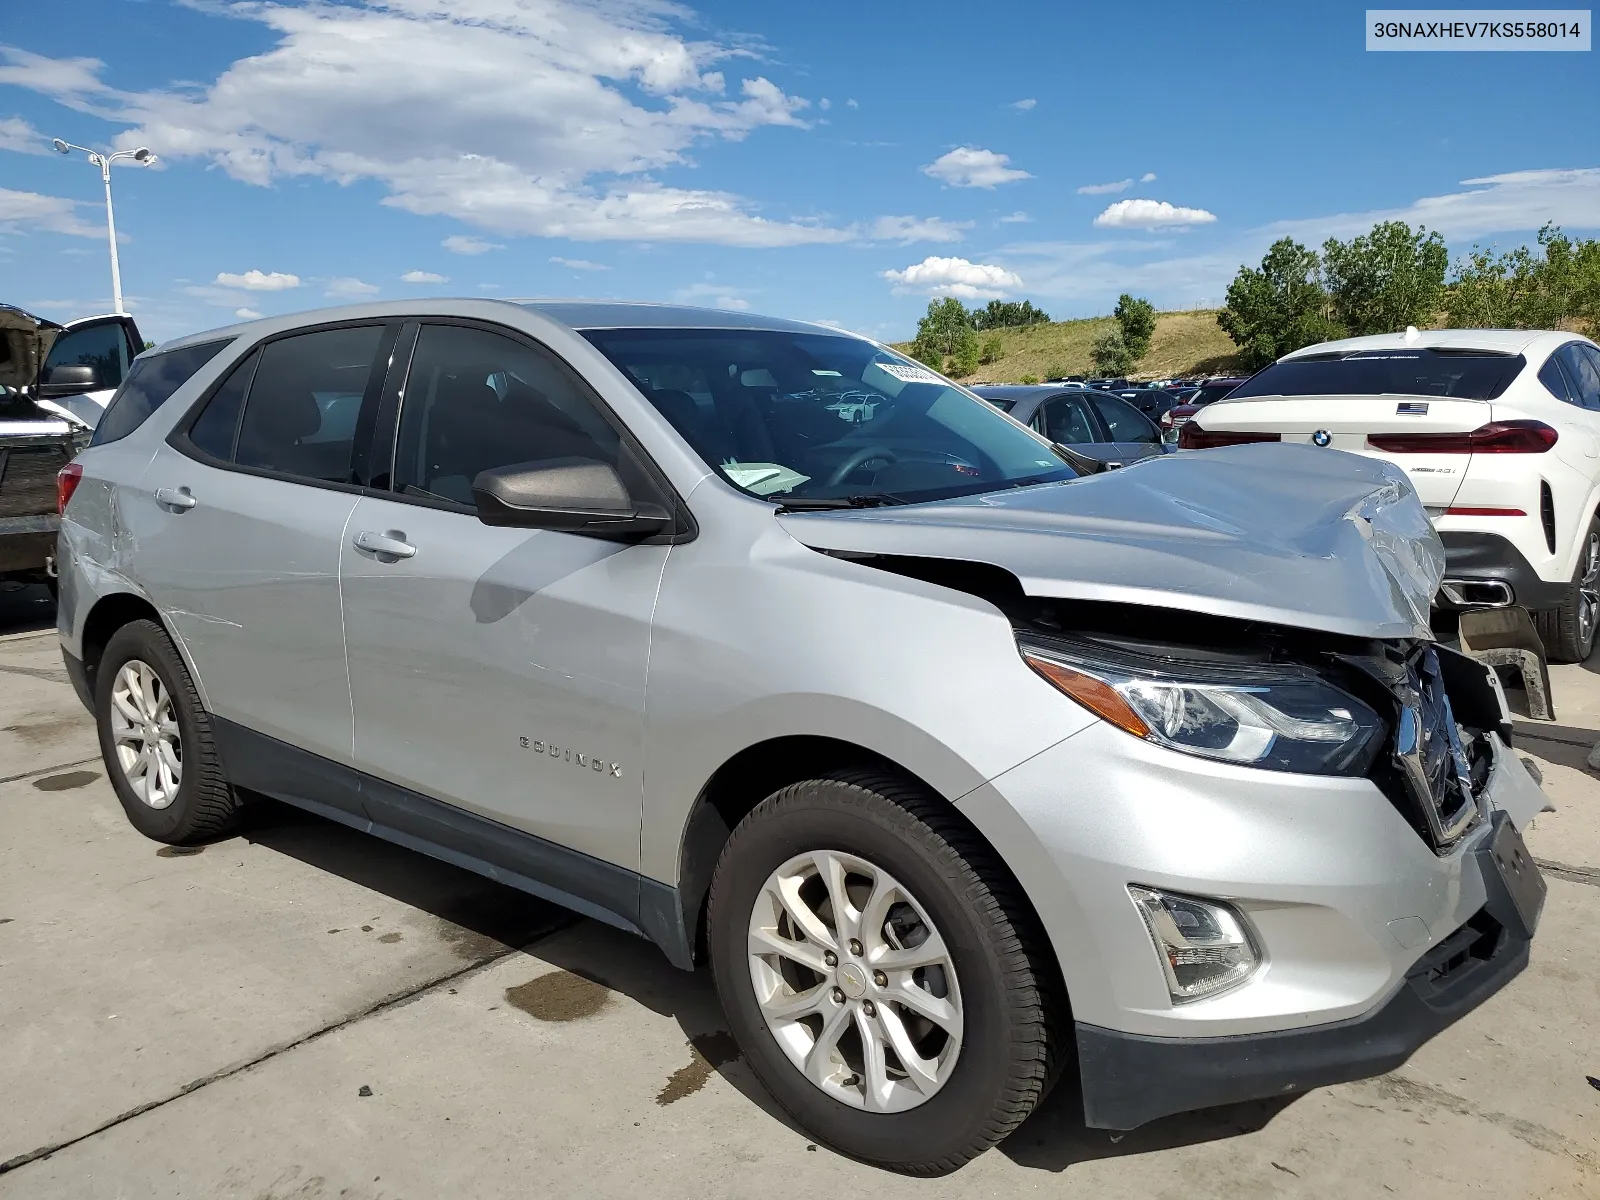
838,162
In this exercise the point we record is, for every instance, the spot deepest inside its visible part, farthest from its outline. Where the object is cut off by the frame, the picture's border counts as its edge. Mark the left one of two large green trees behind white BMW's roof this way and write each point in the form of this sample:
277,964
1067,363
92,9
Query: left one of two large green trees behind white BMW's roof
1279,308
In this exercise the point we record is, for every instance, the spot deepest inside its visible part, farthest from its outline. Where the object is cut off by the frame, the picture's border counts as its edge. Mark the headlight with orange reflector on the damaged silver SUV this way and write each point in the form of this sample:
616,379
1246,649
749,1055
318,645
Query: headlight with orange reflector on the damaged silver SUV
1281,718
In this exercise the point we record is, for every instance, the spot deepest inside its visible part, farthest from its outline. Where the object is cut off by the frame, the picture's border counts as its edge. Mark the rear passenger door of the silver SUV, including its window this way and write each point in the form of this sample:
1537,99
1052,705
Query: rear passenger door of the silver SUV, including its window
241,532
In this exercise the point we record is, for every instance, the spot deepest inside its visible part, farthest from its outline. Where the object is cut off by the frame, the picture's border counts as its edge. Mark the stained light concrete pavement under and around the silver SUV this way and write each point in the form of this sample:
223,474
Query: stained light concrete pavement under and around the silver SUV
302,1012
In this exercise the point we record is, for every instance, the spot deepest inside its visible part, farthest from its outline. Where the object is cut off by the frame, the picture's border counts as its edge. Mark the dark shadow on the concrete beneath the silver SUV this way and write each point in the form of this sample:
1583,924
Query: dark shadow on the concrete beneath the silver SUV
484,919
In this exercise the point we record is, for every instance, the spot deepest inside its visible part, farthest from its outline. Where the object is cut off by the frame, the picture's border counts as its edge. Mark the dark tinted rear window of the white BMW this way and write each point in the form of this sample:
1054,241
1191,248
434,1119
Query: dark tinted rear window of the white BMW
1444,374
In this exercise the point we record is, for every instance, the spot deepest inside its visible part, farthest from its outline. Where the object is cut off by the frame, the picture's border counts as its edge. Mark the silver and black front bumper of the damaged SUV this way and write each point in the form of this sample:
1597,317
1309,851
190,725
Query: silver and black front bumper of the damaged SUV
1348,902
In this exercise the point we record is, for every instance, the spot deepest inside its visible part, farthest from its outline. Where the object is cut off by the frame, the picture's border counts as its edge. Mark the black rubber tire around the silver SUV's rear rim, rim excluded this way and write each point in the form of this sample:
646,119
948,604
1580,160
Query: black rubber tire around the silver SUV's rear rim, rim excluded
204,806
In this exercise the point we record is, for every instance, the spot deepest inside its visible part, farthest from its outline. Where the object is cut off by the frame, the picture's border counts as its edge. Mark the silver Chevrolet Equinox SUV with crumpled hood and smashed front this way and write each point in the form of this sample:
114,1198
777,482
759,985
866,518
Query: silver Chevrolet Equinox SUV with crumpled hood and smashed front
770,646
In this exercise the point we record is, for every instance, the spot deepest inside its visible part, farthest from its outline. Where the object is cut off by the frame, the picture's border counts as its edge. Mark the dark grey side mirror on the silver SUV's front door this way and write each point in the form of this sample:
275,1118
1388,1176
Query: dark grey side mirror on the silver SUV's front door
574,494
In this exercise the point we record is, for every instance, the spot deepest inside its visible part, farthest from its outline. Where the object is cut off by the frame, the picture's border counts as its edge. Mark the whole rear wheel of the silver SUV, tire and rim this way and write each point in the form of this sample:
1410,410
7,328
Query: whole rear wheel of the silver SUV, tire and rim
156,740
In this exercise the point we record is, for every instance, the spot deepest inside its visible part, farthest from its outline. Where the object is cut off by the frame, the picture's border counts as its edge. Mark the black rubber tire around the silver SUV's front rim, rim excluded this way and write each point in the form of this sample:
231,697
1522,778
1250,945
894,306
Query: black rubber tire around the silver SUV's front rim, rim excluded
1009,1054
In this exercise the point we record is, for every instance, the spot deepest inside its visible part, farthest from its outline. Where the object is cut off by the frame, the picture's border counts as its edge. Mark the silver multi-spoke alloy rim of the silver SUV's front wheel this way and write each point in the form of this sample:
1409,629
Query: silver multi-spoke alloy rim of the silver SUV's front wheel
855,982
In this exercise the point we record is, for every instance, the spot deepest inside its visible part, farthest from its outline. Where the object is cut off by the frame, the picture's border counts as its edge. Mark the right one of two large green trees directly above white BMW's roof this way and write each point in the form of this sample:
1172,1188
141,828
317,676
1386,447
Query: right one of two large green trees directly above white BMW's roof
1385,281
